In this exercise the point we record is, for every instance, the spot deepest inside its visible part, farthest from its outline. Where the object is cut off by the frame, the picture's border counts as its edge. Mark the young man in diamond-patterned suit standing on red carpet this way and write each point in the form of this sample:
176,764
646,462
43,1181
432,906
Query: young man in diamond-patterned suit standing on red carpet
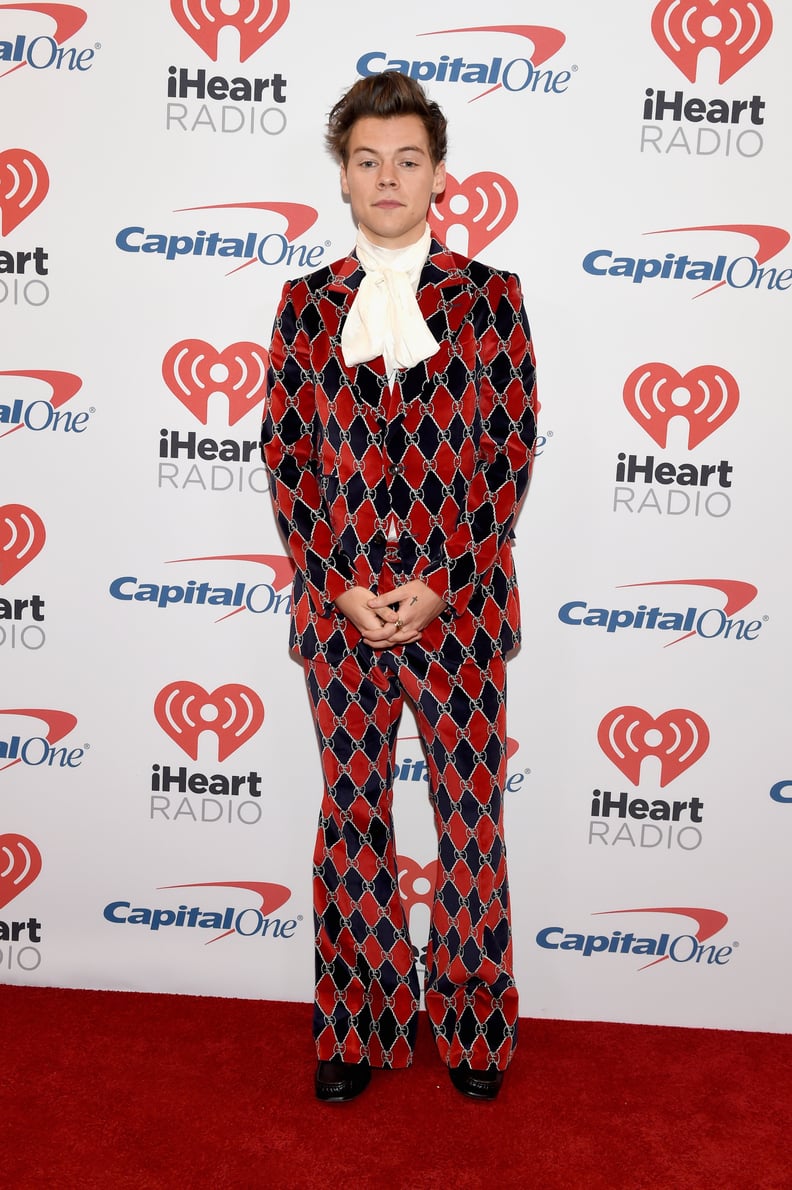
399,435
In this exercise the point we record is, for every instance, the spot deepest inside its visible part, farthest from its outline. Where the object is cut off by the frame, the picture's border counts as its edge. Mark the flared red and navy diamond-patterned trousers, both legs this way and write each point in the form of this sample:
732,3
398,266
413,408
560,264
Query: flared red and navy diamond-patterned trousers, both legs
368,993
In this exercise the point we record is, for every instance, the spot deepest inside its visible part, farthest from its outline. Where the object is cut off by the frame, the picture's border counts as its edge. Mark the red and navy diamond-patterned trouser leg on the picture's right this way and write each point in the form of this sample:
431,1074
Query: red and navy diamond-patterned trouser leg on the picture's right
472,998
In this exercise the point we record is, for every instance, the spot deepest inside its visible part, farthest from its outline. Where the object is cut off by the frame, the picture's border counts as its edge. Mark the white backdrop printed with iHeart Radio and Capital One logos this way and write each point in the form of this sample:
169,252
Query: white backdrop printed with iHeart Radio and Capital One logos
162,174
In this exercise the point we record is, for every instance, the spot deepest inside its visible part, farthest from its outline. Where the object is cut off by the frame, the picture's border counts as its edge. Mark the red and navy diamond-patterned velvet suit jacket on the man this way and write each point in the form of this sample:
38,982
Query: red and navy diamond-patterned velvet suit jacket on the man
445,450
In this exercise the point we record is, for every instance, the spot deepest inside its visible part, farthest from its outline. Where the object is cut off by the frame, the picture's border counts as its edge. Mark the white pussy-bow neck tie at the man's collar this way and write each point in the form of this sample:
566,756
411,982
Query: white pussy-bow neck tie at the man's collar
385,318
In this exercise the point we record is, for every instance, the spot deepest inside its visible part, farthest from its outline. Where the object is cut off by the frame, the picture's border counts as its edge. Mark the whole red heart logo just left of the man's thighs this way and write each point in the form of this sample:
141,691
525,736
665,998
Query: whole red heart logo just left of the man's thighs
232,713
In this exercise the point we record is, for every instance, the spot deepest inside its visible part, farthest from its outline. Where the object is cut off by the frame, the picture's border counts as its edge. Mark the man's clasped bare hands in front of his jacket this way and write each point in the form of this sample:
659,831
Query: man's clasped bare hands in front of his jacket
398,617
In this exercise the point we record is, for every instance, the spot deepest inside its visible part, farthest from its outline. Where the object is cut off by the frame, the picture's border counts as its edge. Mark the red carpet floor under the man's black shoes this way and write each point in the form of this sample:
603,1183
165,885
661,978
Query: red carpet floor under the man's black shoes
114,1091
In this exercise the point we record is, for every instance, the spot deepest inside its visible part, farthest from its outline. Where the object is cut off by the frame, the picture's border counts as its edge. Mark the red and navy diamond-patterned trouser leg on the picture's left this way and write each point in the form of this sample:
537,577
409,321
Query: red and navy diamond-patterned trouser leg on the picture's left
367,986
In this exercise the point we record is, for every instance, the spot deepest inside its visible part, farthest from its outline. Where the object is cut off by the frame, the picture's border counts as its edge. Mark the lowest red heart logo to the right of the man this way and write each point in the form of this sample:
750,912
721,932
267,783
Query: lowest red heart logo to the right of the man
677,738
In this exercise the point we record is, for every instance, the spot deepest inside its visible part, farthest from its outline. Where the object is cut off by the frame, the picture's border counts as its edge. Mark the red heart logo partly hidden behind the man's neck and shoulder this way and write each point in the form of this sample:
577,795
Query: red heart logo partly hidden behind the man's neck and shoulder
485,205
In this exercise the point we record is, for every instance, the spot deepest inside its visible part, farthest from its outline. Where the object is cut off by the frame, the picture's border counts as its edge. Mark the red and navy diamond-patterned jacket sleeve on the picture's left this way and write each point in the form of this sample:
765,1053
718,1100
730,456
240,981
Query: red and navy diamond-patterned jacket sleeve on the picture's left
290,452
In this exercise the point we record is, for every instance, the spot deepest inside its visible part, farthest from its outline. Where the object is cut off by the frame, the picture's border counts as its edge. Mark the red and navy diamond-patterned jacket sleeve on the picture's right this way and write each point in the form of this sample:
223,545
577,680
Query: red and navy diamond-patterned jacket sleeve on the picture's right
507,408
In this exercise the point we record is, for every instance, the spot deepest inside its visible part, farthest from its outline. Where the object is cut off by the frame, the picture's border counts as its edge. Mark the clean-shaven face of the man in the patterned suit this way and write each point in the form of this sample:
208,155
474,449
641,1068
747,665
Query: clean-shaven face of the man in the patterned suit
391,179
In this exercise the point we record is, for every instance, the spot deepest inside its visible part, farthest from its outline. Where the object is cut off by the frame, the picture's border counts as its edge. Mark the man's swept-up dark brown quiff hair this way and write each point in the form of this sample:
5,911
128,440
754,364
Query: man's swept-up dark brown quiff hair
385,96
